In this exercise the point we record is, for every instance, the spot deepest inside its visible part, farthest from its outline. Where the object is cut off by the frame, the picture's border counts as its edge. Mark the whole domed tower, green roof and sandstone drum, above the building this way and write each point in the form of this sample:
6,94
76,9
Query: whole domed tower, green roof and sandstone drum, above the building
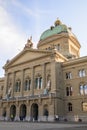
61,38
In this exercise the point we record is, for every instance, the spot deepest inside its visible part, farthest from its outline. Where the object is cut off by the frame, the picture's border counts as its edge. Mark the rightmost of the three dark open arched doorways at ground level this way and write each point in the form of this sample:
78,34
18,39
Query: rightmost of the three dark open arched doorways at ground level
34,112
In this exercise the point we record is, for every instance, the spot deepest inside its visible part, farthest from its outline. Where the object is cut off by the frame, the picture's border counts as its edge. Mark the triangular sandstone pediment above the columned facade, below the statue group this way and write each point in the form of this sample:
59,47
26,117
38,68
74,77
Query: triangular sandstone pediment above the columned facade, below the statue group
25,56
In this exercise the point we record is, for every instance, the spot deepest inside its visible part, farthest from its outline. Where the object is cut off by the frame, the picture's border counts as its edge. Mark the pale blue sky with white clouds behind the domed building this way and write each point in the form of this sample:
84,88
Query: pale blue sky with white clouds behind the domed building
20,19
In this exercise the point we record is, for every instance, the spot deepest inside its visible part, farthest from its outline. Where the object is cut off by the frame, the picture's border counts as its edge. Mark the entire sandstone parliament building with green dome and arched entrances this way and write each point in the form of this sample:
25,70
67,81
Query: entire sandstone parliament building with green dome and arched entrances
47,82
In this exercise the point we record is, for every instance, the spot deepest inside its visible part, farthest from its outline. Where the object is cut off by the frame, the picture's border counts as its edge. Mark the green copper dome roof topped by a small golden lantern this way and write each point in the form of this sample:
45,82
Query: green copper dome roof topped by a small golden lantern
58,28
